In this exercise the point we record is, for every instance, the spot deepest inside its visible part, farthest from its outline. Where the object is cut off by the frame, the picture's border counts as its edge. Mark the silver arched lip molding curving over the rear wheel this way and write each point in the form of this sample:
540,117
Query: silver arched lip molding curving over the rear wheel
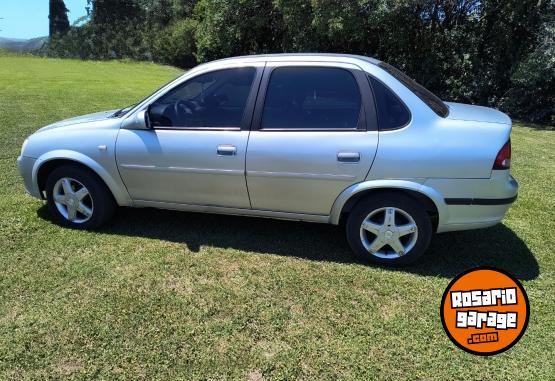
354,189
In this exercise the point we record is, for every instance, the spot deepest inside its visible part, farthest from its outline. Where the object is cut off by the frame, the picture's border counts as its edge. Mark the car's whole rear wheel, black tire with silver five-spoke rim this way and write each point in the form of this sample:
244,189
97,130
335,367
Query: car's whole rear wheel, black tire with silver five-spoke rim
389,229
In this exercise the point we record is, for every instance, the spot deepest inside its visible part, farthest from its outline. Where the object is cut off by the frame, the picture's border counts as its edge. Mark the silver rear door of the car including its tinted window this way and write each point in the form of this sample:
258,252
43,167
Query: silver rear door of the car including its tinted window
314,134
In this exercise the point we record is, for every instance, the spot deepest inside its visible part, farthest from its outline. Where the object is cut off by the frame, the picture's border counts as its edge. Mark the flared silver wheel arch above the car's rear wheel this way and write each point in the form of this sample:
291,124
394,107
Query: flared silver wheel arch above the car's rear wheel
431,200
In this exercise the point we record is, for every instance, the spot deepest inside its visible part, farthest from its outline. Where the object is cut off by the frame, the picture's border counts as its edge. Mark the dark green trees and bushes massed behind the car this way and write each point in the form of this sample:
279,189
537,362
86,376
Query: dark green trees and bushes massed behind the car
492,52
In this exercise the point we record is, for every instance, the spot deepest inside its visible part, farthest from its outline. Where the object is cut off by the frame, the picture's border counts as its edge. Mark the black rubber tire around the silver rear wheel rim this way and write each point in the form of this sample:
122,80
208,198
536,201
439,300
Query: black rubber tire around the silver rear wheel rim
383,200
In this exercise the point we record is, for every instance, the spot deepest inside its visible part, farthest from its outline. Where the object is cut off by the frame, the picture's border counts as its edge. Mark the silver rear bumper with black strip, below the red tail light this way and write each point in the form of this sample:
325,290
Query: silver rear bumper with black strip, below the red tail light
475,203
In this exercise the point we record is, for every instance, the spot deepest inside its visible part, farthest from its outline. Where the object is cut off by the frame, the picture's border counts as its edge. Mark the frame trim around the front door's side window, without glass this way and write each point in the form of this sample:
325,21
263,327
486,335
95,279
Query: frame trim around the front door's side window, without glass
246,118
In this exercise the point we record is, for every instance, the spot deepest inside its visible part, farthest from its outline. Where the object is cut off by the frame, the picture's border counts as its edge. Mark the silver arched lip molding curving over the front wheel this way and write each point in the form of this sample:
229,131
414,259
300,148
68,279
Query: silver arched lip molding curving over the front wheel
112,180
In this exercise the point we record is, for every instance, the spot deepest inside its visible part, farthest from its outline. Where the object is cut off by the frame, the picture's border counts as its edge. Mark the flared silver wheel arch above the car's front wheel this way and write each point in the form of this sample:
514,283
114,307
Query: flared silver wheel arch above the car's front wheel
48,162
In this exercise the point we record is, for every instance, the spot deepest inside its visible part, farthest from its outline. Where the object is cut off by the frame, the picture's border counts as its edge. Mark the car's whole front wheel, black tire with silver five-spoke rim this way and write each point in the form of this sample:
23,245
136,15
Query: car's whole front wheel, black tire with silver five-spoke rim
78,198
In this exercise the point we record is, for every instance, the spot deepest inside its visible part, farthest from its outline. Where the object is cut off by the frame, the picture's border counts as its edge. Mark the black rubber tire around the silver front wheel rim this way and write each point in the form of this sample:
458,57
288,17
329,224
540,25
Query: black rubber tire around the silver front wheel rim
100,195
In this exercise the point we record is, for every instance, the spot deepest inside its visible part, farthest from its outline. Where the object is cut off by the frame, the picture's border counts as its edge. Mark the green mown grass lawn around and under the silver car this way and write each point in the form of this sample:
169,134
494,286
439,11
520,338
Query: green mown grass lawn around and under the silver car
166,295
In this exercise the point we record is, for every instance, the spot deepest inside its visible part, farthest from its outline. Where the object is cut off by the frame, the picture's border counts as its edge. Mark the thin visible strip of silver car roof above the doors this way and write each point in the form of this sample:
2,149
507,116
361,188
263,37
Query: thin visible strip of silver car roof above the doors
320,57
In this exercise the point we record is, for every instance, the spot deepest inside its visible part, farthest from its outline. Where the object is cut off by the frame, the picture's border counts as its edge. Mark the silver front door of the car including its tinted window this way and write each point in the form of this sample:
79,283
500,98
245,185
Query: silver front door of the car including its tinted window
195,151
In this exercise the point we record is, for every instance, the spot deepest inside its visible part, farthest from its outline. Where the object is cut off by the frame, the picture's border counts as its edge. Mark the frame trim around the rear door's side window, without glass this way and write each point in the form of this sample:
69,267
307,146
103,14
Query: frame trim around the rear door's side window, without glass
367,118
